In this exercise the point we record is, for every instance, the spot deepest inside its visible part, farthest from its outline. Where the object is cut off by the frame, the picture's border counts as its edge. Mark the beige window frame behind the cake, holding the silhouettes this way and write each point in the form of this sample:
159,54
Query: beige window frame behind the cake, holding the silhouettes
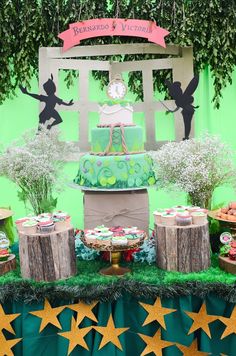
52,59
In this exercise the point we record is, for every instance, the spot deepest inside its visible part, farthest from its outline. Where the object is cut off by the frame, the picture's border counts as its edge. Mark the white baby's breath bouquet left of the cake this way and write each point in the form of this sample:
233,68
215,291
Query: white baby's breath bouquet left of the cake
34,163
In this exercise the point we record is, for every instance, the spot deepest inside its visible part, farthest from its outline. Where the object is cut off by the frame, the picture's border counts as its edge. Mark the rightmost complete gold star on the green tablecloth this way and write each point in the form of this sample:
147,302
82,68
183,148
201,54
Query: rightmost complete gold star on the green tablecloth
201,320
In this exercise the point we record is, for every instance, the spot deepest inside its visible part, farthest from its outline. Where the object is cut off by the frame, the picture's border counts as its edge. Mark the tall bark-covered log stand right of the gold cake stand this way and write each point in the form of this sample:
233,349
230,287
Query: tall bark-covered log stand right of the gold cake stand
183,248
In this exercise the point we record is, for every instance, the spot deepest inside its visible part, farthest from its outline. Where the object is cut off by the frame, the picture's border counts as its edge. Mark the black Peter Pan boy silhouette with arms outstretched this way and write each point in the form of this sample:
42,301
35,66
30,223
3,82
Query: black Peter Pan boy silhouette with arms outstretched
50,102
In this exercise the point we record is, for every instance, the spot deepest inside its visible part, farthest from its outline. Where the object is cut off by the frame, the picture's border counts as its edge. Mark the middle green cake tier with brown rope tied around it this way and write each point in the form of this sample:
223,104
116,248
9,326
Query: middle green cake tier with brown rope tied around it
101,137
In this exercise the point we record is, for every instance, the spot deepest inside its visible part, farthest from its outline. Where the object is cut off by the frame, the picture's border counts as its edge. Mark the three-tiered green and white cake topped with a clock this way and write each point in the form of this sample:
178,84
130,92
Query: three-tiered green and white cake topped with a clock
117,159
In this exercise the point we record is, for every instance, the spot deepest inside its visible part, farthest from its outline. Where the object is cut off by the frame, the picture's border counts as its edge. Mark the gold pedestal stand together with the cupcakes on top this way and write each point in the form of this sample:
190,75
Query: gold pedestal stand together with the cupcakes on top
115,240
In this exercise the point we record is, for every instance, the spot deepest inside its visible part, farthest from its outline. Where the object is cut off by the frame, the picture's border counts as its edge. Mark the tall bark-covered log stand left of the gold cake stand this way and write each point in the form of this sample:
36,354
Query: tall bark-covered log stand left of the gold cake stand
48,257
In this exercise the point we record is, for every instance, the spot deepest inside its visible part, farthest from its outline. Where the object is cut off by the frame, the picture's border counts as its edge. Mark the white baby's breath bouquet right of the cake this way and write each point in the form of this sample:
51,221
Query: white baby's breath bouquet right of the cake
196,166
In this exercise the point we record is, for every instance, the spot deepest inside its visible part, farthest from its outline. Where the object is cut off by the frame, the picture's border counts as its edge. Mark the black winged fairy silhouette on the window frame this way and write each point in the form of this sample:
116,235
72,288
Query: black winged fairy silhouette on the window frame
183,100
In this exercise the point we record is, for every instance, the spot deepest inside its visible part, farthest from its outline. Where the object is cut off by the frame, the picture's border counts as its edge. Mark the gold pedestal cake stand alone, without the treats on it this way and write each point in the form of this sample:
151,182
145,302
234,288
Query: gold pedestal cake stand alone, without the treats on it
115,269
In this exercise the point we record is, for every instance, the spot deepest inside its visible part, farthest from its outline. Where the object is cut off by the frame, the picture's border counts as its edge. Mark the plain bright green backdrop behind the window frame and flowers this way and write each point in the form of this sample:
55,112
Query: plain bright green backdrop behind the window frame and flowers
21,113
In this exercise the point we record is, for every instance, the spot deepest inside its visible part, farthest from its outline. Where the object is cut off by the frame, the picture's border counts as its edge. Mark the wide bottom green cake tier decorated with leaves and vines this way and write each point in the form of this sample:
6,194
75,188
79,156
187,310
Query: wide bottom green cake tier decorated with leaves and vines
115,172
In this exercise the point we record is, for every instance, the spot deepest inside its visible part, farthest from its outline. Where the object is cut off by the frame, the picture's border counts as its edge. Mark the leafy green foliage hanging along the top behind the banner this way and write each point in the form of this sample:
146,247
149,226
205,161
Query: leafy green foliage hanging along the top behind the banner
27,25
